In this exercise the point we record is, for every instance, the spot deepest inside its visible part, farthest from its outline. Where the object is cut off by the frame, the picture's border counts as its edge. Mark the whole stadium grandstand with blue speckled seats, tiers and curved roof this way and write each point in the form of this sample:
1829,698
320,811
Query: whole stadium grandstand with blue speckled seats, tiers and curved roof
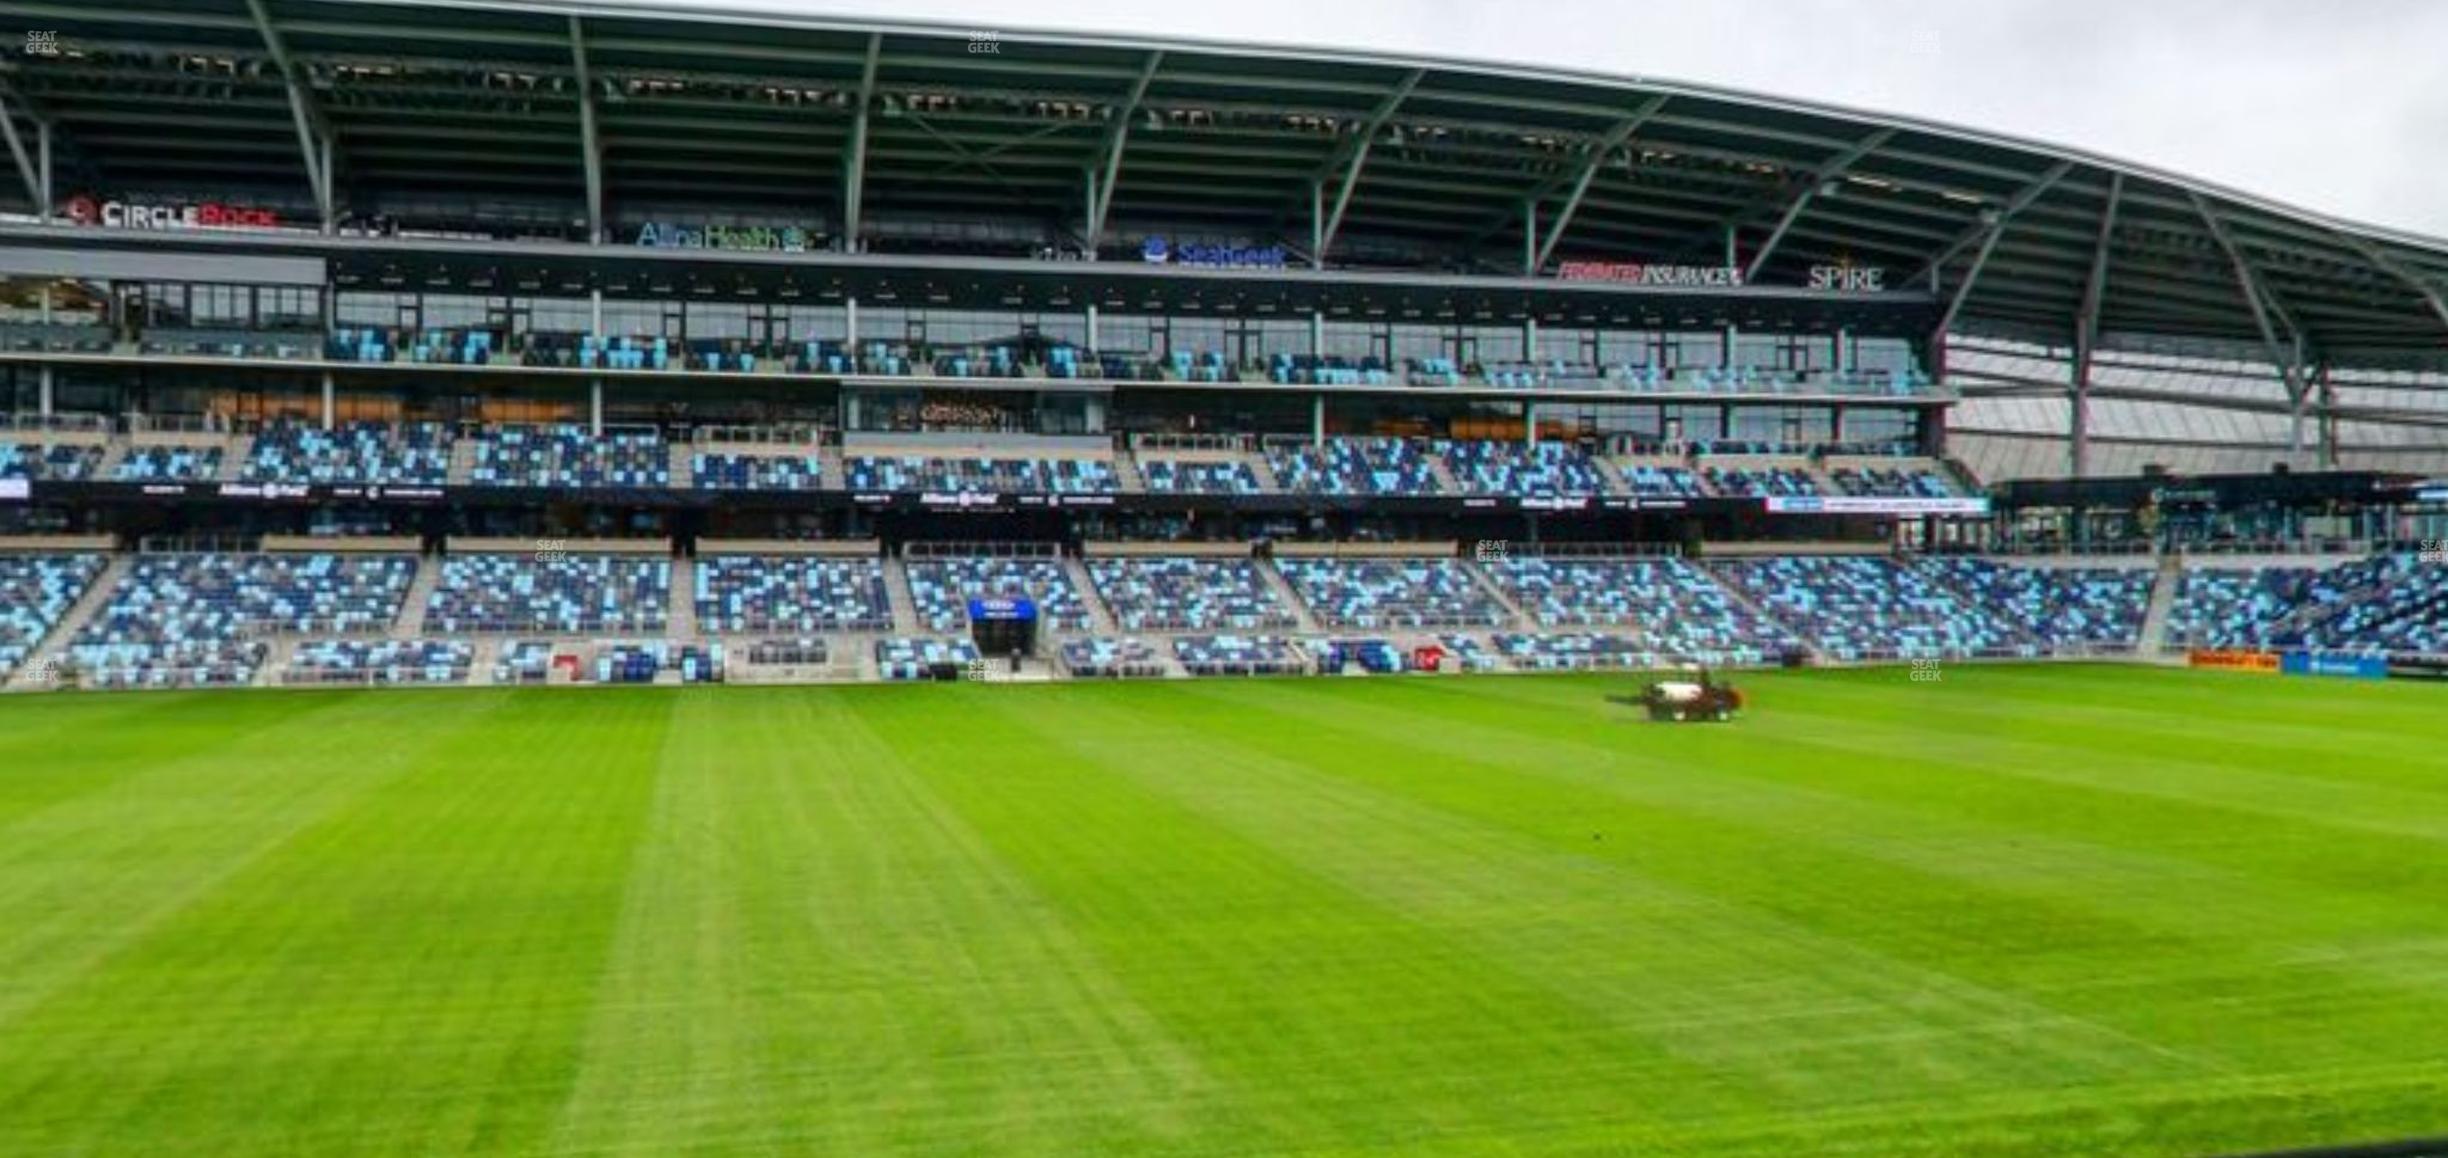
949,329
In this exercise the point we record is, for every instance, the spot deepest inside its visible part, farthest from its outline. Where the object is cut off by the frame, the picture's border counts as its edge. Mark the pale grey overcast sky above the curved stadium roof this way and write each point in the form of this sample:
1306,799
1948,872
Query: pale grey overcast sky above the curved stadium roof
2339,106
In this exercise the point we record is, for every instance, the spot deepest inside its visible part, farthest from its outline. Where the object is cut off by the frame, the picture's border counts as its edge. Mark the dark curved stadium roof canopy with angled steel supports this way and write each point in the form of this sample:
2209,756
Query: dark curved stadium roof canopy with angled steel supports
1362,158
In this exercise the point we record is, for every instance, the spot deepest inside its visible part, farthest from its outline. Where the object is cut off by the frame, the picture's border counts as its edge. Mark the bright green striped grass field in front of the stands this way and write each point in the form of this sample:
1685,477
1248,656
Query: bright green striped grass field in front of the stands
2036,912
